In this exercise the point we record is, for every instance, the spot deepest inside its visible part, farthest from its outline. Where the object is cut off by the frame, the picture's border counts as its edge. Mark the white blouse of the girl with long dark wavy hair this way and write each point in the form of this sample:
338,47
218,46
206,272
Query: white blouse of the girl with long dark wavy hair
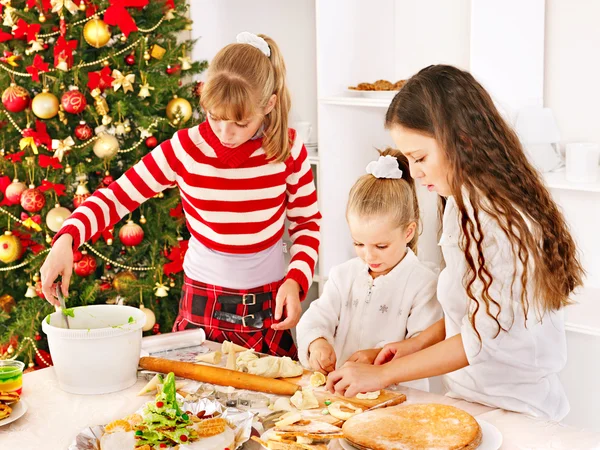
515,370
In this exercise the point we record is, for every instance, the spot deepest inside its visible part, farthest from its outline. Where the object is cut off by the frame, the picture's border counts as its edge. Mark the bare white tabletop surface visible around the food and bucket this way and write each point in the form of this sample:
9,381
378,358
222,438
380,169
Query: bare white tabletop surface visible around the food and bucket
55,417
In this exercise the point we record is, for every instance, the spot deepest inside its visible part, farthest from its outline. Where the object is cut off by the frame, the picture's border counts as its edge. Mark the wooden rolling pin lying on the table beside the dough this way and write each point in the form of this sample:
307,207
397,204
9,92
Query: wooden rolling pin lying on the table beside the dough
218,375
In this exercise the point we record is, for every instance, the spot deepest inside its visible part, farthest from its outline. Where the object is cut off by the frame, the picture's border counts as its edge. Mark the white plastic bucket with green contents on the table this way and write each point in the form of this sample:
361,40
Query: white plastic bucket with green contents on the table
101,350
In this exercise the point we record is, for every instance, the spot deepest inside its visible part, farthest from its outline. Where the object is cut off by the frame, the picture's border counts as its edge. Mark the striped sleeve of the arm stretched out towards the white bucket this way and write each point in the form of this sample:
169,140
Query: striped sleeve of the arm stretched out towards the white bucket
155,172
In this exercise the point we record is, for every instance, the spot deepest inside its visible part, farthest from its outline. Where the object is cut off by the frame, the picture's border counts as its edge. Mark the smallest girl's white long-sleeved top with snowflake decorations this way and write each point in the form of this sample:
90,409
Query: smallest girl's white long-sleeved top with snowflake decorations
357,312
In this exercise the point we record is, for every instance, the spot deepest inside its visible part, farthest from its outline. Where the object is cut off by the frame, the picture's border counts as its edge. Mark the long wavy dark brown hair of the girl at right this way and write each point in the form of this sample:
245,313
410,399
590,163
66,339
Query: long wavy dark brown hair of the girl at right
489,170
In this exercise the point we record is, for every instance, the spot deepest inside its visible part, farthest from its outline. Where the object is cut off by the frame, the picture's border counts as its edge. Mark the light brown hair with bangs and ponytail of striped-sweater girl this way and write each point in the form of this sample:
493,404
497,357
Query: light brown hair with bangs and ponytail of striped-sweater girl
240,80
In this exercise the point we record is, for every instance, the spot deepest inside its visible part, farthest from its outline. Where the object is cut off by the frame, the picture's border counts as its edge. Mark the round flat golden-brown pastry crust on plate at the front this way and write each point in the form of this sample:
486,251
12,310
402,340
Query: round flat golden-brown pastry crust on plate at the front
424,426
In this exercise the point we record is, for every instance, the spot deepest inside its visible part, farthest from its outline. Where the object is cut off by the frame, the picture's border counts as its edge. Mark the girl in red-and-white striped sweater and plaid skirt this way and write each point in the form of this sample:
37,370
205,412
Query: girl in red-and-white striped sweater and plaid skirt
241,173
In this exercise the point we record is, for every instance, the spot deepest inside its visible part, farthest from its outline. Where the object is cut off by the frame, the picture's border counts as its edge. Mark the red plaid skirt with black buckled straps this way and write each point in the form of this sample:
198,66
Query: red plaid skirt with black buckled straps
201,302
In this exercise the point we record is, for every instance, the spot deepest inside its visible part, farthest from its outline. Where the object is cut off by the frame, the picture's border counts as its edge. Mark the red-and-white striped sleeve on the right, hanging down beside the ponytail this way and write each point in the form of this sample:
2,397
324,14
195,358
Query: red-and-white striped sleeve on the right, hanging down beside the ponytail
304,219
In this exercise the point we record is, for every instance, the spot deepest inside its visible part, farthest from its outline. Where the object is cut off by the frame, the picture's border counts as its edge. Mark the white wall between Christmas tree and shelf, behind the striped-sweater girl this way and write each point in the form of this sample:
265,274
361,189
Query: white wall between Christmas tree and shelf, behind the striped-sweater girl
290,23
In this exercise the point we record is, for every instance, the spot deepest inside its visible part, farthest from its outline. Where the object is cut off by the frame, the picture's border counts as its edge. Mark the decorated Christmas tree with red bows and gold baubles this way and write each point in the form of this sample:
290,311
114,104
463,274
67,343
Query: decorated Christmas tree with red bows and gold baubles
88,87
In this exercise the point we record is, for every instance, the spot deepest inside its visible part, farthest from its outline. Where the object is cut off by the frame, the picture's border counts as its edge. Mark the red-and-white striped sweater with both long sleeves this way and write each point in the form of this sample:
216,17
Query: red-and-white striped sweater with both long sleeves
232,204
